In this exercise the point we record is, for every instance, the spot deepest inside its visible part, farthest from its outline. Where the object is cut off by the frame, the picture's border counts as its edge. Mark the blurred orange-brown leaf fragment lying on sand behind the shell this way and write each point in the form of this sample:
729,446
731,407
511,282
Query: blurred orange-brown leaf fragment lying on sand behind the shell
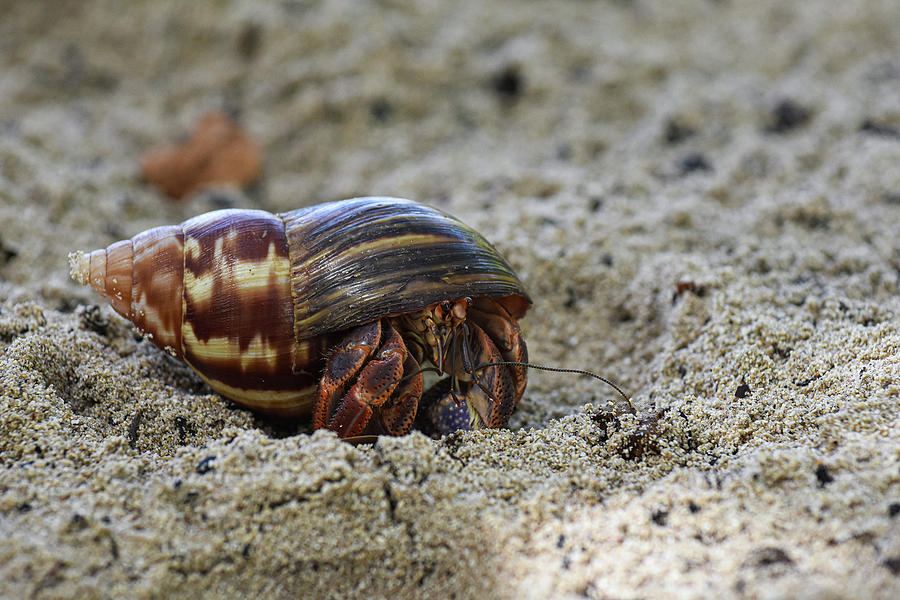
218,151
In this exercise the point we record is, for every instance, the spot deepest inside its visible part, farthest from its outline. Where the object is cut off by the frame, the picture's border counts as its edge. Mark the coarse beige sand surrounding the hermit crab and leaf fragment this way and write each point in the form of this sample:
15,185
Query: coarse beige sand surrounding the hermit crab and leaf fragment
701,196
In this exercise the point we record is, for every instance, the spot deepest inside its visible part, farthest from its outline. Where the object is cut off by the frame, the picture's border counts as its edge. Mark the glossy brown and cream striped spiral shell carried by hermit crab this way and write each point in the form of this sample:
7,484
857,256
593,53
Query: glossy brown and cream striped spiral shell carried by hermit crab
252,301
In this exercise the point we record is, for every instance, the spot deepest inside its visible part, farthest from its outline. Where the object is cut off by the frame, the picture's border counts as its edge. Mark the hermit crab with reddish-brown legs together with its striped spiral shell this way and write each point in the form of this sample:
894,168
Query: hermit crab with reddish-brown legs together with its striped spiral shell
334,310
